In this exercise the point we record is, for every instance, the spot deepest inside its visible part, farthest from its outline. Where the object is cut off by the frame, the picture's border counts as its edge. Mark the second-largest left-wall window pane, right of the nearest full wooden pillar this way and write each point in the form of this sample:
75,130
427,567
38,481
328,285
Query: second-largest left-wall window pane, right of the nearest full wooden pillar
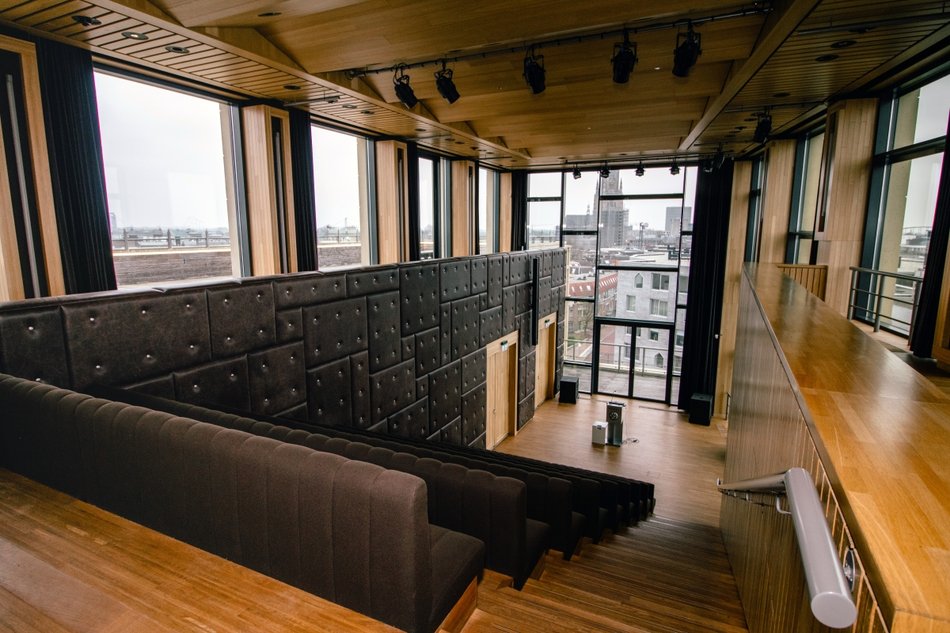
340,192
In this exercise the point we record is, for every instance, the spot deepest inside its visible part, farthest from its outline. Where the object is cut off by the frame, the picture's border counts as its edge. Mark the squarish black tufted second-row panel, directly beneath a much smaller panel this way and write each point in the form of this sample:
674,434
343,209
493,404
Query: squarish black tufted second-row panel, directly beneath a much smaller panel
277,379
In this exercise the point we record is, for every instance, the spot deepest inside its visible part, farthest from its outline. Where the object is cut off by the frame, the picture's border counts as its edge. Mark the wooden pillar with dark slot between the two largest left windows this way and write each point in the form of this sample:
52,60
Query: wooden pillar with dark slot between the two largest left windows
270,200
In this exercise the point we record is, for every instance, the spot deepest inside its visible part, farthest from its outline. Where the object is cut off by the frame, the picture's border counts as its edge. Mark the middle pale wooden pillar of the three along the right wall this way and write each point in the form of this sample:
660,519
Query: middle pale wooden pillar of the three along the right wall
777,201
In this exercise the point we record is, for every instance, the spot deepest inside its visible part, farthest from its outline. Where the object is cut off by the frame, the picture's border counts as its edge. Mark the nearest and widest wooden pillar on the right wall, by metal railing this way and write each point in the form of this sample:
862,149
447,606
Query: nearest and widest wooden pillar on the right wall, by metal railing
844,197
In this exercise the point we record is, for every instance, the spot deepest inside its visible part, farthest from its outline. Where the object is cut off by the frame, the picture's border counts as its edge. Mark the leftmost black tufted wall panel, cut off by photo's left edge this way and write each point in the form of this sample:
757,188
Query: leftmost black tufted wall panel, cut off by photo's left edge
32,346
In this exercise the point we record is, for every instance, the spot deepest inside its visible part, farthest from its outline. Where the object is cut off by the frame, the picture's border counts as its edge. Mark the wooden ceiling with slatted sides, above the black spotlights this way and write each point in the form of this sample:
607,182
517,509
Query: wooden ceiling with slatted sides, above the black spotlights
304,50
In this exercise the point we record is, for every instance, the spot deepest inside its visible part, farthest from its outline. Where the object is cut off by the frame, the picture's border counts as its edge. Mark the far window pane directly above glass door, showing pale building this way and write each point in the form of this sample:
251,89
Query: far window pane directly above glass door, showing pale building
636,294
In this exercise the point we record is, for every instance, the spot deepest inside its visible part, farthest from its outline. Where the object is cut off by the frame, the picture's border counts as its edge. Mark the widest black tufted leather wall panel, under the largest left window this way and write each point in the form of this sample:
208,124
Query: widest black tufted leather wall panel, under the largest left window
118,341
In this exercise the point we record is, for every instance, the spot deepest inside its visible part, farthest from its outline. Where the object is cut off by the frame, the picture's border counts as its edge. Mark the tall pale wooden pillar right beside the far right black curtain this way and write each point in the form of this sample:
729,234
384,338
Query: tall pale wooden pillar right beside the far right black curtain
738,214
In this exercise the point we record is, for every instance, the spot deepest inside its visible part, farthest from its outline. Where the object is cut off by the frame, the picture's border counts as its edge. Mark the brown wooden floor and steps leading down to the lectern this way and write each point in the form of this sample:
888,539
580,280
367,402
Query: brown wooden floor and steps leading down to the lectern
667,574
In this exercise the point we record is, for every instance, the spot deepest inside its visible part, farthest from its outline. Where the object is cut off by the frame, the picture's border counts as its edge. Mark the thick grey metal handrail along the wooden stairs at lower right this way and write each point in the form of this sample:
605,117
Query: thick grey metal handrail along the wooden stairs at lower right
830,592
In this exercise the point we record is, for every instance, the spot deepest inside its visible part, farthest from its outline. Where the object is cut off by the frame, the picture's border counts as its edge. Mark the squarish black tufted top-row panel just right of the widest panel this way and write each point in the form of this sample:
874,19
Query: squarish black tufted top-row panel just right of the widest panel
242,319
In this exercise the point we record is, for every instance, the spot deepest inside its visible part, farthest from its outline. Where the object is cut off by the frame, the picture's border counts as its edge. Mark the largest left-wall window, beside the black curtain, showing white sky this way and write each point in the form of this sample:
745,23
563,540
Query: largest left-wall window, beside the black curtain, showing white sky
169,182
